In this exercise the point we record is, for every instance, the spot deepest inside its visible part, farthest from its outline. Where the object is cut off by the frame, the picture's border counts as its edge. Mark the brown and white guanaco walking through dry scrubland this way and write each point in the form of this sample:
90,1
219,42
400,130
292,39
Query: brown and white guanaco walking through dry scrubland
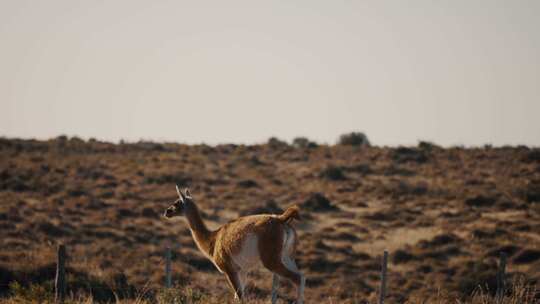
246,243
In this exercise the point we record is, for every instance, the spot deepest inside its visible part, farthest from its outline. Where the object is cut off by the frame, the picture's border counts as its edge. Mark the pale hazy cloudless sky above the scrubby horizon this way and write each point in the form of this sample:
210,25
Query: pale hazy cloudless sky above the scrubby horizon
452,72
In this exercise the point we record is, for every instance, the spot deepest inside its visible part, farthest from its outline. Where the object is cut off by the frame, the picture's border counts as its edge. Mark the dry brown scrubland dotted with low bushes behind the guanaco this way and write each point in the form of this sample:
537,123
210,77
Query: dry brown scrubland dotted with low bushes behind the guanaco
443,214
